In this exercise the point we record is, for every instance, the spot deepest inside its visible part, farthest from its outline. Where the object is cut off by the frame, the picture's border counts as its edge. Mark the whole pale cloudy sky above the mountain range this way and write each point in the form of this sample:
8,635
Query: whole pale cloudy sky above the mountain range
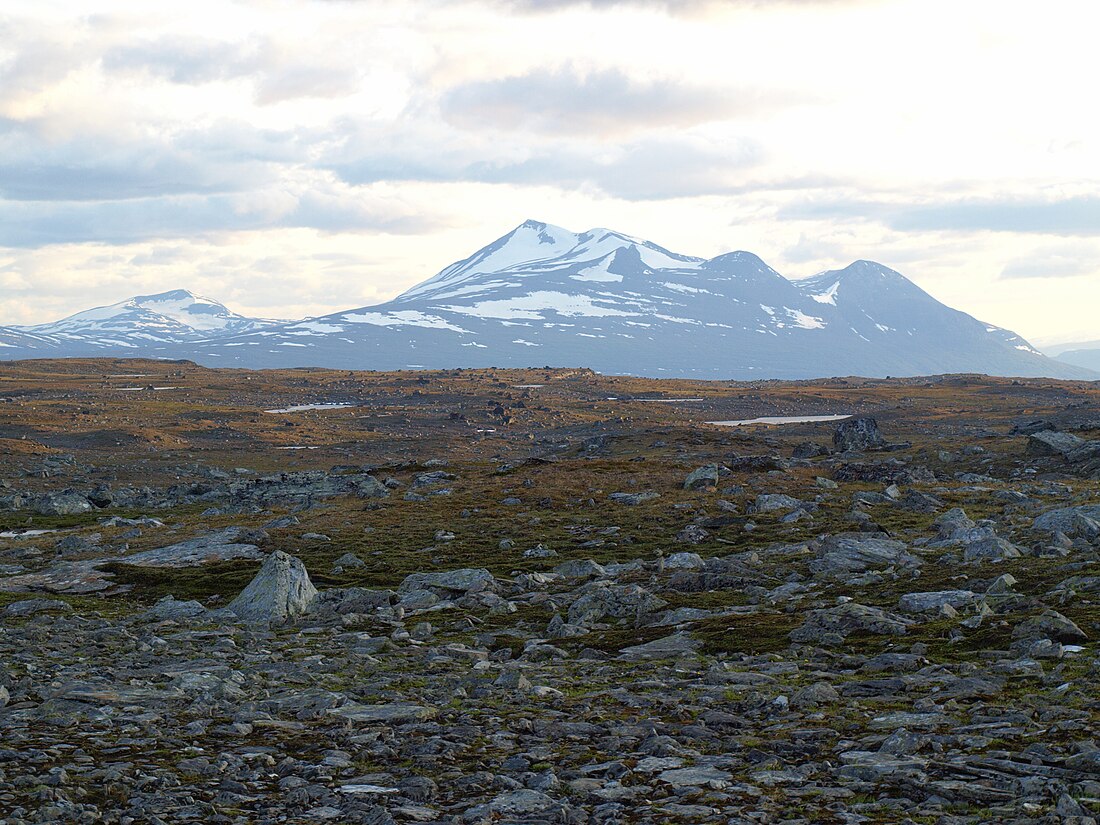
295,159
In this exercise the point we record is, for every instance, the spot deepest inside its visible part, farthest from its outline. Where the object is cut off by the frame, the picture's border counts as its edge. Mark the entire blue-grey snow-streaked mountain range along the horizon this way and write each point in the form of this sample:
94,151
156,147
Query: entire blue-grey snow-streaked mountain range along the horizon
543,295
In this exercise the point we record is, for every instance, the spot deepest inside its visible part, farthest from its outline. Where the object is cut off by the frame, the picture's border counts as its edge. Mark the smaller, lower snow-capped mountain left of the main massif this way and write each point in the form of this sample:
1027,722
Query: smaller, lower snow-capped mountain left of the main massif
146,322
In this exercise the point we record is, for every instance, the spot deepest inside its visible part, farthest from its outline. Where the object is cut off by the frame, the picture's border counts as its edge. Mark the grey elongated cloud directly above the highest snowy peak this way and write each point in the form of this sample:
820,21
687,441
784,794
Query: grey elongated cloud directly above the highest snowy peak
609,102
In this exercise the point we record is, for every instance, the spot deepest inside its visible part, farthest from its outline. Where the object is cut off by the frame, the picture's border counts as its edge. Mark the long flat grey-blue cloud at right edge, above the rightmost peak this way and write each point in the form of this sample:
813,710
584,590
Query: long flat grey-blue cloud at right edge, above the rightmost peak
1072,216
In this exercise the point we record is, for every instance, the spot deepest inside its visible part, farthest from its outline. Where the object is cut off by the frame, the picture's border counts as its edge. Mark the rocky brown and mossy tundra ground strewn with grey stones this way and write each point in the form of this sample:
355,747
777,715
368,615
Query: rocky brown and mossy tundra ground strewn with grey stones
545,597
